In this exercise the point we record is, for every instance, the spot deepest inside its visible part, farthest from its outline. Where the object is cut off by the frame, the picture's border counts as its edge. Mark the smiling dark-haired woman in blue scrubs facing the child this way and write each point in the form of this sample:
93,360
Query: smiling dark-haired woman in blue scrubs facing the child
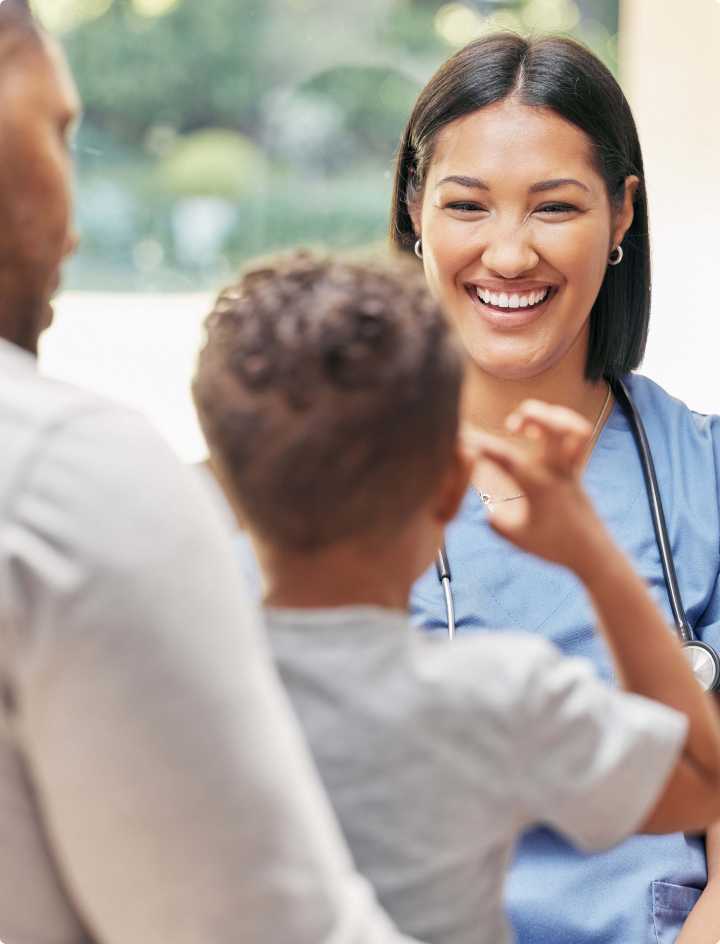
520,185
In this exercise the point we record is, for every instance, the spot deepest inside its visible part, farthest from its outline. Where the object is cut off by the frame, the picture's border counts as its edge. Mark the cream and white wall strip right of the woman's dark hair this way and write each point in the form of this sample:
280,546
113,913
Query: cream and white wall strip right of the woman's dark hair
670,62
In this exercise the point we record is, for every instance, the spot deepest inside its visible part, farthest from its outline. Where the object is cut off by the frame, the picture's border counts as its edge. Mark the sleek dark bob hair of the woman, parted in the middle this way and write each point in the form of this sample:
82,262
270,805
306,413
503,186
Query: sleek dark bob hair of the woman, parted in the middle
561,75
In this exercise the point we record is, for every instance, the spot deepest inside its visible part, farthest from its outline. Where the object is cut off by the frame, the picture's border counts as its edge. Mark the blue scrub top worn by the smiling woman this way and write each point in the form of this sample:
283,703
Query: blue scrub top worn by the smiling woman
641,891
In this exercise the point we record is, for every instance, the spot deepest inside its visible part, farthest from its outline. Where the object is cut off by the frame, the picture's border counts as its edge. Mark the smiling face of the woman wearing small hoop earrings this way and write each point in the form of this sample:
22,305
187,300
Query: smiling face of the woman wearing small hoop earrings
516,229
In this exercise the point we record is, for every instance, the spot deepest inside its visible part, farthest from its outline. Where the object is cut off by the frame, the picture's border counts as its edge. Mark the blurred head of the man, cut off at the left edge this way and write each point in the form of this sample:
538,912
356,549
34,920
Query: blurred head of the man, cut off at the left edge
38,106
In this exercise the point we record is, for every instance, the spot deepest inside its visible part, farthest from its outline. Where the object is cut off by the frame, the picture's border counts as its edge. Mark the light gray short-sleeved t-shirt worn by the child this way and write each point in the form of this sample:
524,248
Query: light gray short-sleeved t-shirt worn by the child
436,756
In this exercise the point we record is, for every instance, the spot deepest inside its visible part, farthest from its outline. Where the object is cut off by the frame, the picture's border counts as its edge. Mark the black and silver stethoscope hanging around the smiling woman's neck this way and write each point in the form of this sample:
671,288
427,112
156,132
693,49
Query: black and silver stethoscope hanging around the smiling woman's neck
703,659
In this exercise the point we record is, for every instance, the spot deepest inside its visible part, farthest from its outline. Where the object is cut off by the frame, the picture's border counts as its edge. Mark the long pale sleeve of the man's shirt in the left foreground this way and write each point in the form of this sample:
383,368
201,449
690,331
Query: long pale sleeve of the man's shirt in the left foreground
176,794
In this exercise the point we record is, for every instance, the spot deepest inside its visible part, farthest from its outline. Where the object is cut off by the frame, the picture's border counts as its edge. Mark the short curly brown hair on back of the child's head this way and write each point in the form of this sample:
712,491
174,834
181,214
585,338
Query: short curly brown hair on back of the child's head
328,392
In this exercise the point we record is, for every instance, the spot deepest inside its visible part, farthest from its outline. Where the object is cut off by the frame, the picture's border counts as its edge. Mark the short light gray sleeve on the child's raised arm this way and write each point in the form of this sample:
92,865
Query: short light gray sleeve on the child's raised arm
593,760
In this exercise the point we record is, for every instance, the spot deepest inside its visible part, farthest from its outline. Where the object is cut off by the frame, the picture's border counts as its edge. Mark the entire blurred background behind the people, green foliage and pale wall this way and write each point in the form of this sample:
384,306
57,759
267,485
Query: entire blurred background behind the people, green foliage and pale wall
214,131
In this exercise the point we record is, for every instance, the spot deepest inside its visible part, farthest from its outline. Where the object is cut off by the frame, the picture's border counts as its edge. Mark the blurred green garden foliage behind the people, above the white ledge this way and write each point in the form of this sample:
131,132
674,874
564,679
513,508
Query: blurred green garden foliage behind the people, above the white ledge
215,131
